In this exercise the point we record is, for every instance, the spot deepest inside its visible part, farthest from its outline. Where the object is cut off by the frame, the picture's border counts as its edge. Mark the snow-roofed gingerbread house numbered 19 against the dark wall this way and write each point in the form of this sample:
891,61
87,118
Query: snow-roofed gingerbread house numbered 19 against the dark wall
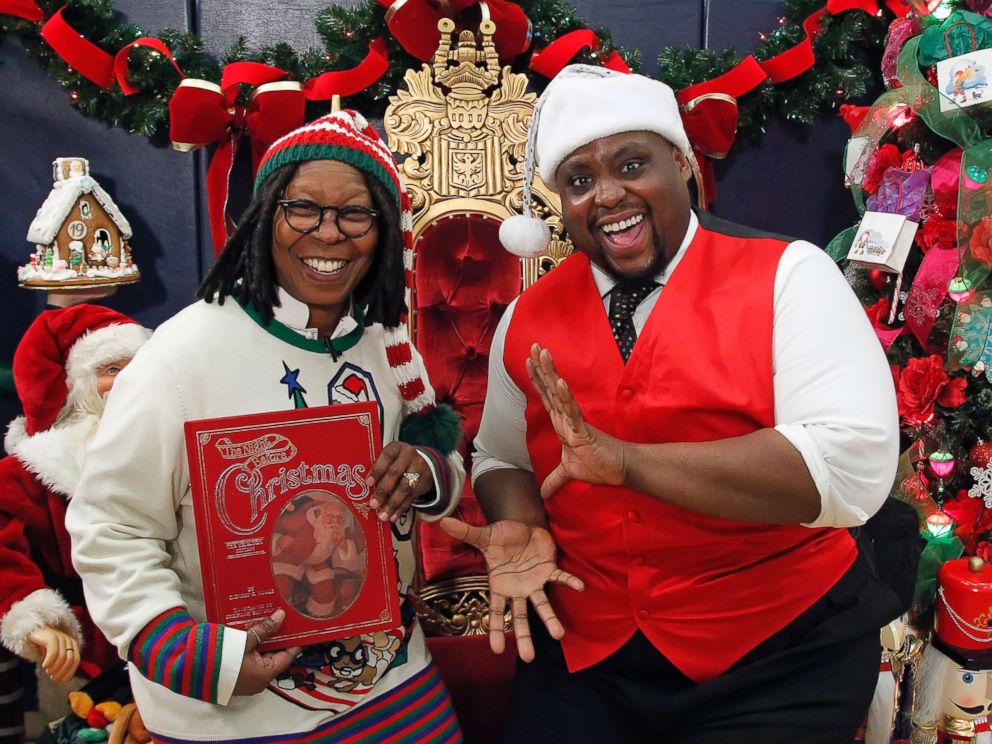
80,235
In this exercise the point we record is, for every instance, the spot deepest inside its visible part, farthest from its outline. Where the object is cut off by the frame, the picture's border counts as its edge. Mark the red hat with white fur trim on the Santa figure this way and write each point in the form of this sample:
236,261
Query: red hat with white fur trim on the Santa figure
61,349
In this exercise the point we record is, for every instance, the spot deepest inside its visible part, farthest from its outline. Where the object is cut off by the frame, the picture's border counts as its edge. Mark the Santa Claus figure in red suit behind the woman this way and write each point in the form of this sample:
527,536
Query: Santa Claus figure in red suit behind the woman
63,367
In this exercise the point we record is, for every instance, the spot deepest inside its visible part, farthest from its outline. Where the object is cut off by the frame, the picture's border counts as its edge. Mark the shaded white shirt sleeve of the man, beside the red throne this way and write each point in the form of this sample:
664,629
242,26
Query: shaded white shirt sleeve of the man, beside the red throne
502,439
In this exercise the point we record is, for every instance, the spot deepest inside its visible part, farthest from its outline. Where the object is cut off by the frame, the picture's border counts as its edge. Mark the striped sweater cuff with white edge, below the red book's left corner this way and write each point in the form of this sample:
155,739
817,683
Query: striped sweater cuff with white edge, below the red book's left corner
197,660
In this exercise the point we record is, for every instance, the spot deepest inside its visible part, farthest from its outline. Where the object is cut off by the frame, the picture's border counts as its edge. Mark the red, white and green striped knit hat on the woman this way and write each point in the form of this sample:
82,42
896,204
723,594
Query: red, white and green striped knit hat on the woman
347,137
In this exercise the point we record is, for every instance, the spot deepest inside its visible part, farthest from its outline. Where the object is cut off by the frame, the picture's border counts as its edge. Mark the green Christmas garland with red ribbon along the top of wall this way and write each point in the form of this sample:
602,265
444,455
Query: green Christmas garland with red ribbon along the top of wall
848,51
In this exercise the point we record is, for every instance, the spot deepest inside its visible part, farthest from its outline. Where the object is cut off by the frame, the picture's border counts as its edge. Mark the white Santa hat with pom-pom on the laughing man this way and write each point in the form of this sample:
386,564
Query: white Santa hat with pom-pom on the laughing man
583,104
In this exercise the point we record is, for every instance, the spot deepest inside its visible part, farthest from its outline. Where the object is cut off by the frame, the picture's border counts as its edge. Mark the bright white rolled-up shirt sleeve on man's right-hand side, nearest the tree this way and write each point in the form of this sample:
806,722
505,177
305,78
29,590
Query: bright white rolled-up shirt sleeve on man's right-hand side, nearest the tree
834,396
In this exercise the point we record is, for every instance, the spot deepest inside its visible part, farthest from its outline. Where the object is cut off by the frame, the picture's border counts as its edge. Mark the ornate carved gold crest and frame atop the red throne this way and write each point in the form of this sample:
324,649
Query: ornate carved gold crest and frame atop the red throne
462,121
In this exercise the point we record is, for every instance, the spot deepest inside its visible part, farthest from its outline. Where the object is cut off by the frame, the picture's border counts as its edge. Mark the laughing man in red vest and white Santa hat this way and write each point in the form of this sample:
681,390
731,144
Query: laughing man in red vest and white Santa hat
704,410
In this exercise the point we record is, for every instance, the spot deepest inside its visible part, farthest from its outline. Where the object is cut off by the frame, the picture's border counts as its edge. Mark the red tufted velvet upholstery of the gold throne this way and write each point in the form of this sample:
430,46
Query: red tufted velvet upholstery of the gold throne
464,281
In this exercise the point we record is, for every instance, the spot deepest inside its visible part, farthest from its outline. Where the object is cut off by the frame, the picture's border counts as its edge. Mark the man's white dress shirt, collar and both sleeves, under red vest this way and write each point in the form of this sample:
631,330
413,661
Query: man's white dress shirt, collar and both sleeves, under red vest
834,397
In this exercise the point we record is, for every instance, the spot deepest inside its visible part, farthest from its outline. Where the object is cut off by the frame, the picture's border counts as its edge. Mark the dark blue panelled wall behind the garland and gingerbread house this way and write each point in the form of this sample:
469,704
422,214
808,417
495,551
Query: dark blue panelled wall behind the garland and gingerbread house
791,183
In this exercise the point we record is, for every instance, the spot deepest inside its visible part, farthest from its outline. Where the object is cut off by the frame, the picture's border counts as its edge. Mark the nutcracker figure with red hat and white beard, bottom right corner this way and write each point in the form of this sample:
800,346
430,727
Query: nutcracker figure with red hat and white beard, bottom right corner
954,686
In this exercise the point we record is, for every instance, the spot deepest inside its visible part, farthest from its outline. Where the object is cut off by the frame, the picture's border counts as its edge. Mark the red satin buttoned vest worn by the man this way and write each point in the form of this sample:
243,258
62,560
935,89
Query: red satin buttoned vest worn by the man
704,590
